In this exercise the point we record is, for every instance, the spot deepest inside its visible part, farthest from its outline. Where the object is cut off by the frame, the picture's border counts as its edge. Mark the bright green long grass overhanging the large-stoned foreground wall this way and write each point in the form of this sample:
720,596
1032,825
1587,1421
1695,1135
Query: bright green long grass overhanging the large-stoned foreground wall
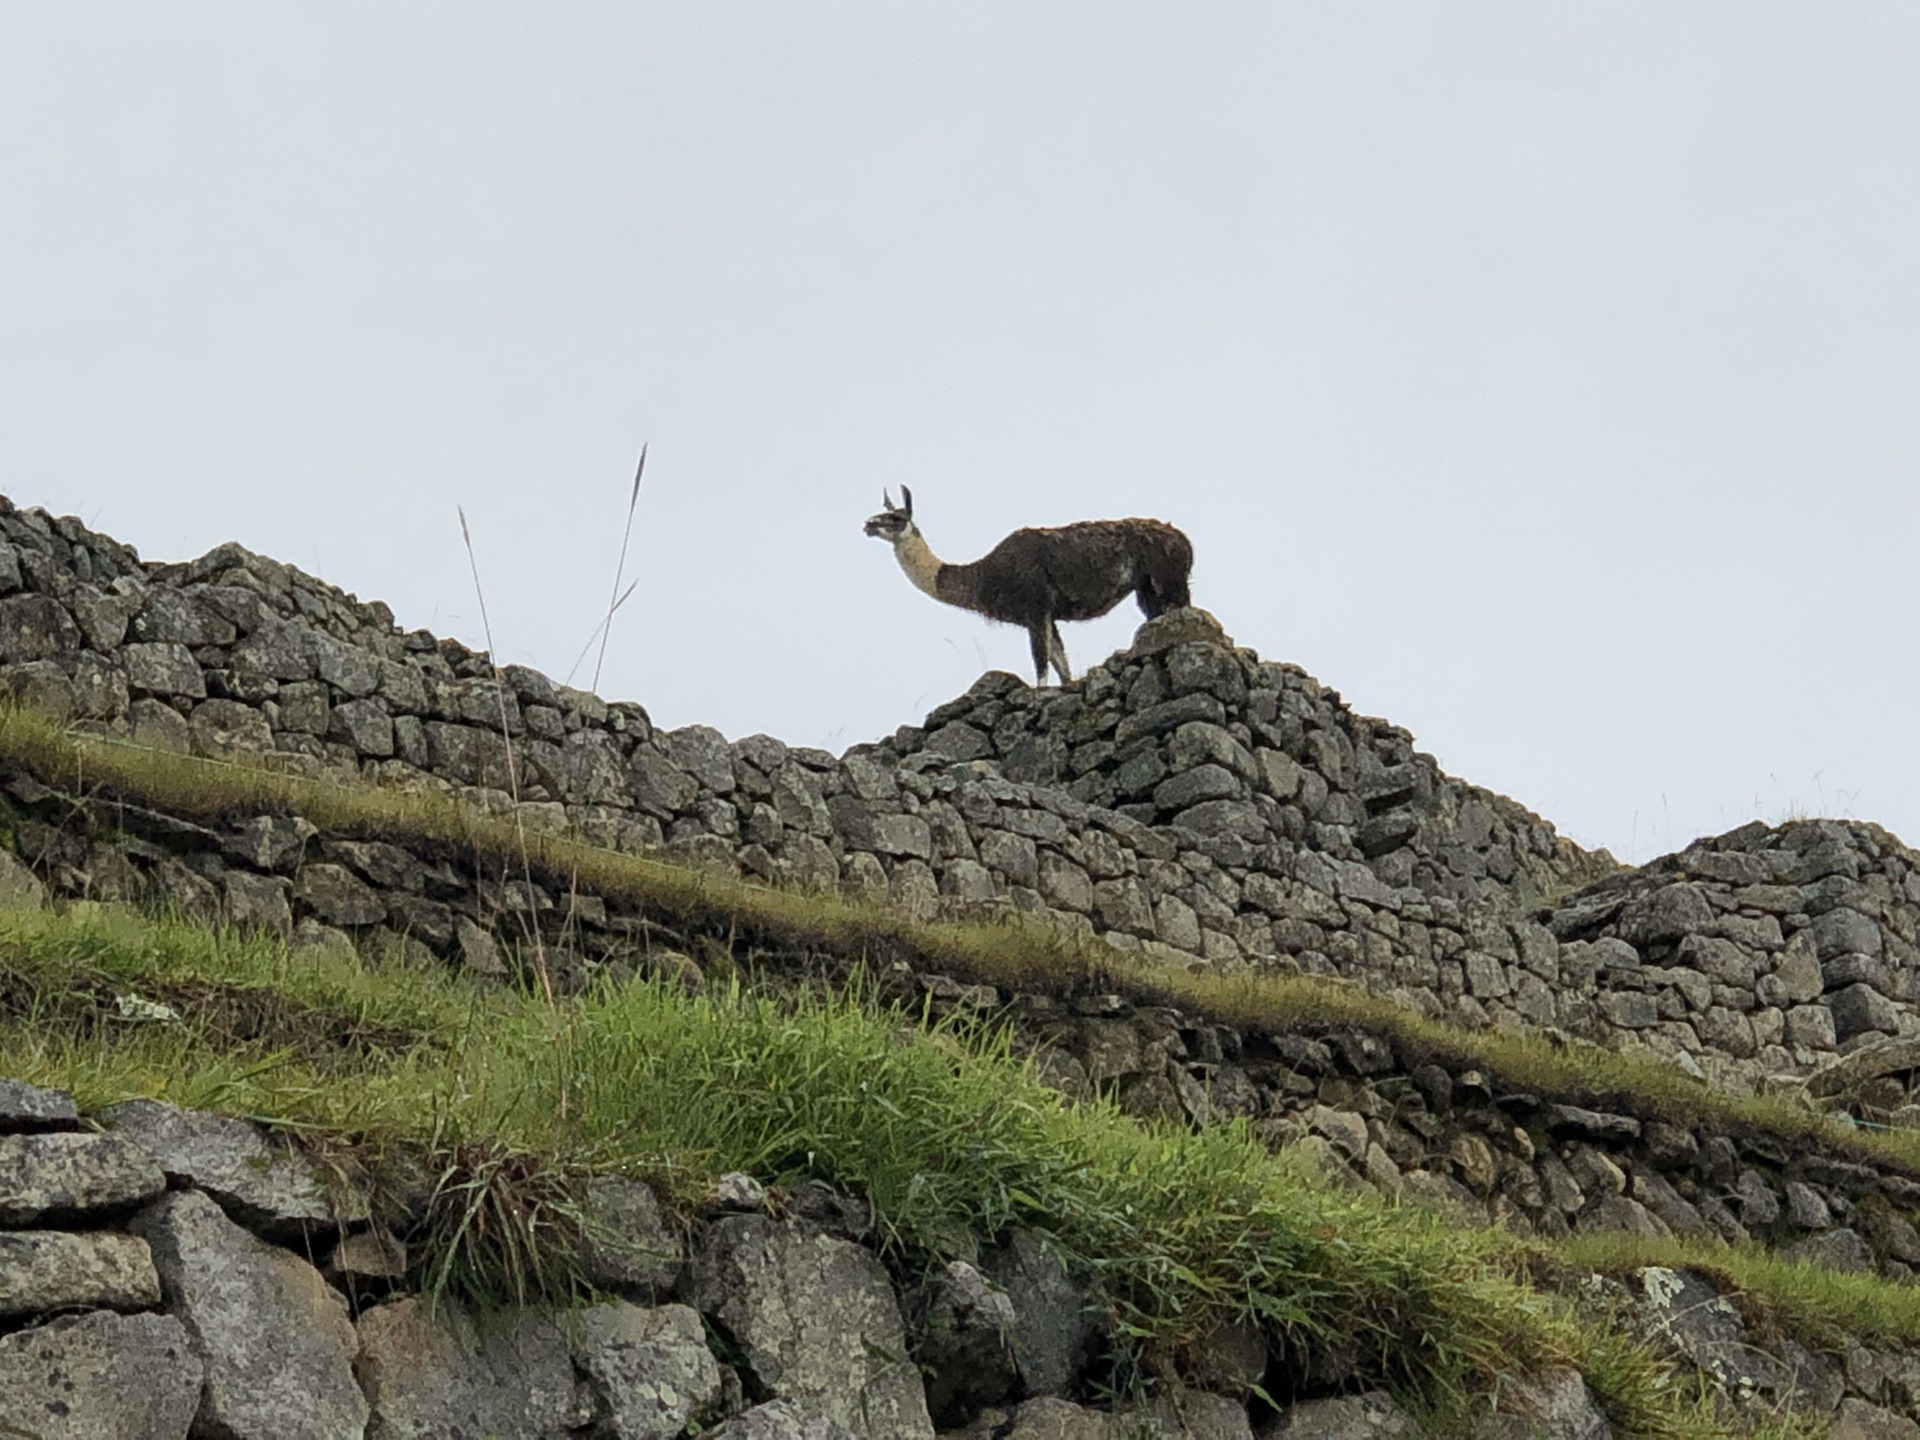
508,1103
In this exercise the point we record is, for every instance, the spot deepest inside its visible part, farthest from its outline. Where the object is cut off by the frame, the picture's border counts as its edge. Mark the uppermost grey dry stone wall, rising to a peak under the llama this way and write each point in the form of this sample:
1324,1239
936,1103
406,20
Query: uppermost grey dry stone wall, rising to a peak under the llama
1188,800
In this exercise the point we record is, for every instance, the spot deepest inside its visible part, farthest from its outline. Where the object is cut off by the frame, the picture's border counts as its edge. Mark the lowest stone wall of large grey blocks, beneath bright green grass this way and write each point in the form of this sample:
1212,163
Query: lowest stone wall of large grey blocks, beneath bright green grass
170,1272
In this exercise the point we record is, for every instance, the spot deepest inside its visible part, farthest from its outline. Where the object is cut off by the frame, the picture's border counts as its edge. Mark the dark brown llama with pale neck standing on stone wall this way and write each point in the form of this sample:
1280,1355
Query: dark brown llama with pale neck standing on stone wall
1036,579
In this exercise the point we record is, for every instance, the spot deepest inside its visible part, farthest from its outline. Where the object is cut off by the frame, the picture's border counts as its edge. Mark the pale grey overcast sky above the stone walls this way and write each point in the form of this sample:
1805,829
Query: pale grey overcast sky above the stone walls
1541,377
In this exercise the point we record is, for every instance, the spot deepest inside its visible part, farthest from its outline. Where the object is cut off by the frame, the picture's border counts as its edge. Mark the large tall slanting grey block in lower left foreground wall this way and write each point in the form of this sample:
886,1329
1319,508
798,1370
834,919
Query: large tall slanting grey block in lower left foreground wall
276,1339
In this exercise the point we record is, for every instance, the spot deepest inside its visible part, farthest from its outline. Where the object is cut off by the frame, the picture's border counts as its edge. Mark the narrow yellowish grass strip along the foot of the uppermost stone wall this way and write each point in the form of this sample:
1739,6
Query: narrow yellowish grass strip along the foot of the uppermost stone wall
1015,953
